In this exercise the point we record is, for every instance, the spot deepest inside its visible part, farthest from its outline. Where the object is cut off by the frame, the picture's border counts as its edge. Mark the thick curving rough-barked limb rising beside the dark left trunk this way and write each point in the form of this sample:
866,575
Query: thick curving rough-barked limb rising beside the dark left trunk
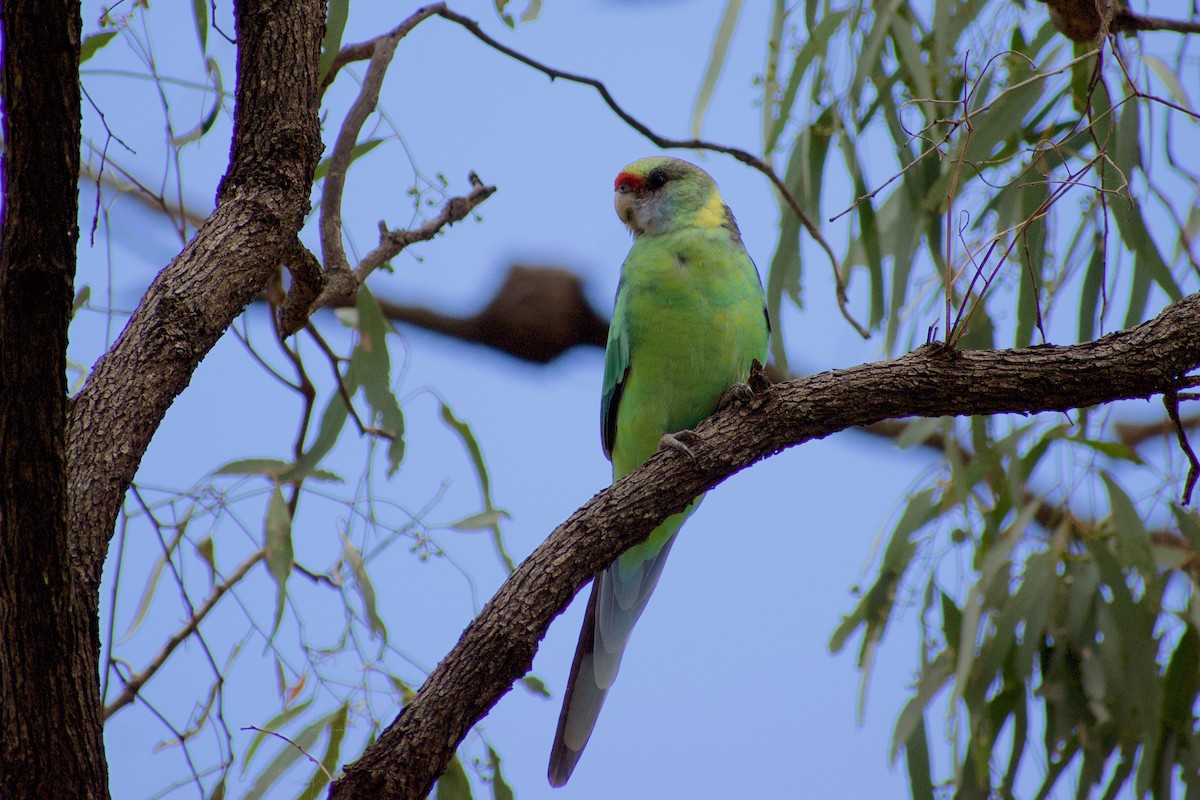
261,207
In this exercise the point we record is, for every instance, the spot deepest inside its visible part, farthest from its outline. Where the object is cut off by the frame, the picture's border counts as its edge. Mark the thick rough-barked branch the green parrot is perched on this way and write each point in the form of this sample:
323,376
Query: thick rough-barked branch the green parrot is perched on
499,647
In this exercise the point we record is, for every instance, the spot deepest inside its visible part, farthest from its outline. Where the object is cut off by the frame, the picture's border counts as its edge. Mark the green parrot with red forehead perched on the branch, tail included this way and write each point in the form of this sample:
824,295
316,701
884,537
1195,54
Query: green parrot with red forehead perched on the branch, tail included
689,322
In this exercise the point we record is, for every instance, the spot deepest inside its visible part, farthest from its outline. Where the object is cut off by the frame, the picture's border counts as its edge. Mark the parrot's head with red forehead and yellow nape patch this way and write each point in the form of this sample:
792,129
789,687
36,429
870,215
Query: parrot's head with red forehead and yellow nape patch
661,195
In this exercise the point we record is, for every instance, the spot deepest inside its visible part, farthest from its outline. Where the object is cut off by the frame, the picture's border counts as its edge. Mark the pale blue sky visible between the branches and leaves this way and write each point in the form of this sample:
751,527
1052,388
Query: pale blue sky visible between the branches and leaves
729,688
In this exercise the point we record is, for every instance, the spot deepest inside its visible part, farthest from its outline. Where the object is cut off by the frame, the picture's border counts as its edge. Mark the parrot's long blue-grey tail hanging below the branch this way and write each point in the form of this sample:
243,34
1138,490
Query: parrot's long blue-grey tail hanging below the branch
614,607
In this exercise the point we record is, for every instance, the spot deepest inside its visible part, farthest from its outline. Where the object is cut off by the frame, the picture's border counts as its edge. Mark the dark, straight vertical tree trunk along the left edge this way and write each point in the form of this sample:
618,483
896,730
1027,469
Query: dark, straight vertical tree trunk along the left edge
51,733
